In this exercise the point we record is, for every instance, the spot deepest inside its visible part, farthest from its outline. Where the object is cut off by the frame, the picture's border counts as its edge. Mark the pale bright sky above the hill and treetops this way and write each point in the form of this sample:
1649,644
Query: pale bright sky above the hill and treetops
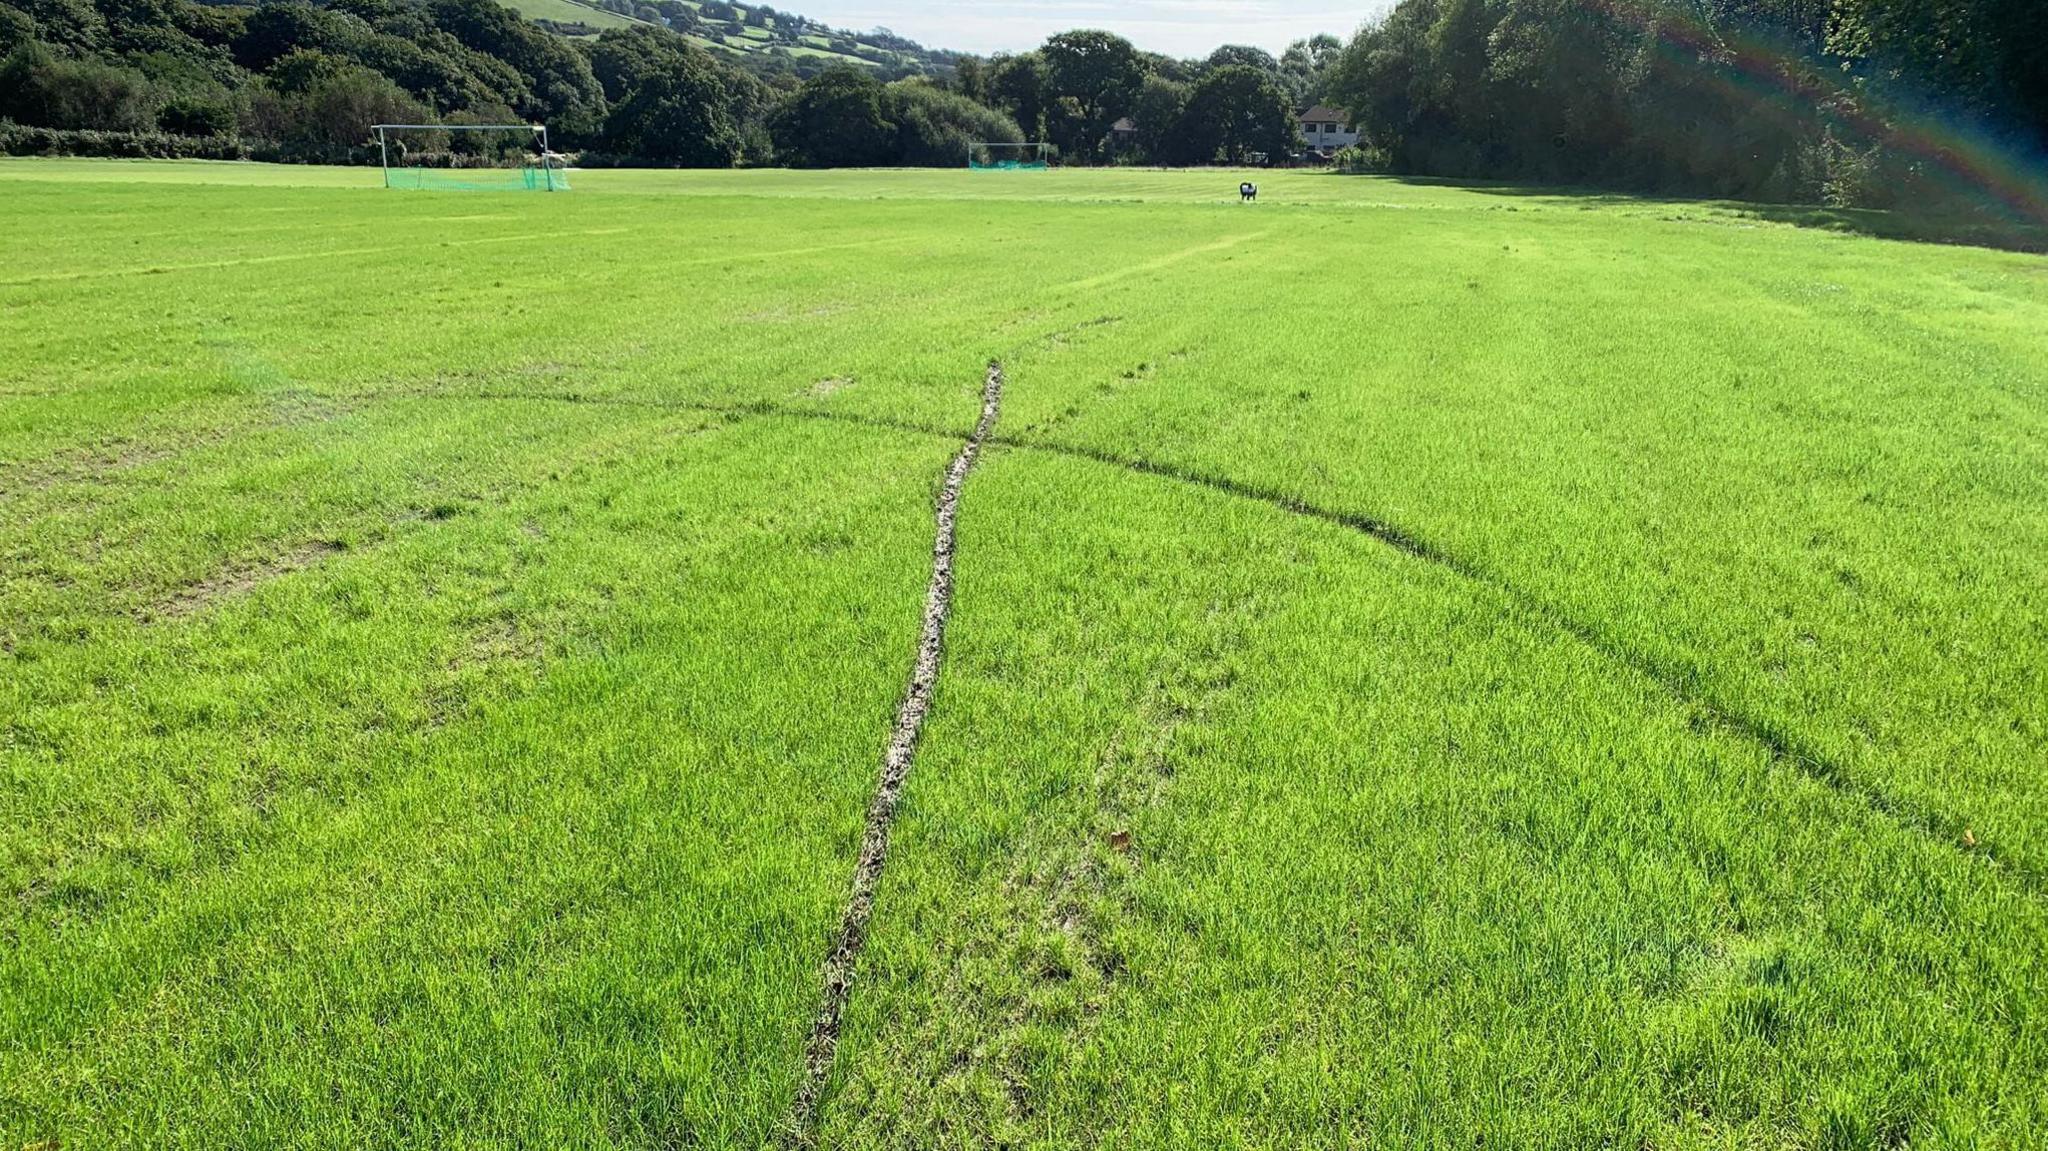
1175,28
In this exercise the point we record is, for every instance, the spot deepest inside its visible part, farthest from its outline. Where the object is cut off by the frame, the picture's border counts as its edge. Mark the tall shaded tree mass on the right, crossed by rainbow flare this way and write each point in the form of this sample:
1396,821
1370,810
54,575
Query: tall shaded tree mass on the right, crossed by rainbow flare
1875,103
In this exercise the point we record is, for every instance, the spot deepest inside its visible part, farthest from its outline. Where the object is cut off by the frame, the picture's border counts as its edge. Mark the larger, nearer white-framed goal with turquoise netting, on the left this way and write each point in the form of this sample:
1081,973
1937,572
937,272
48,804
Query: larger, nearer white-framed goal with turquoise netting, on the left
482,157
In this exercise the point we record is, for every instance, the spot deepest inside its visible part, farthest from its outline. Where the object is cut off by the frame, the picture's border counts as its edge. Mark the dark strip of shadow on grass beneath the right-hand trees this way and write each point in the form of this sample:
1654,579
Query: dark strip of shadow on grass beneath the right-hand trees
1988,230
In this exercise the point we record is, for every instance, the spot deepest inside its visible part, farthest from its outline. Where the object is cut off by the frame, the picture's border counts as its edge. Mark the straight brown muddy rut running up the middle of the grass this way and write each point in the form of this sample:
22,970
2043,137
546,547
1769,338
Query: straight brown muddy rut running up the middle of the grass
841,964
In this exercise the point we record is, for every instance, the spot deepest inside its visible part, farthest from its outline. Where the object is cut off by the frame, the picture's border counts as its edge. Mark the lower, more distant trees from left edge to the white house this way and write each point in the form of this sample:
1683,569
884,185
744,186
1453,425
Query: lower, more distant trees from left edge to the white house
302,81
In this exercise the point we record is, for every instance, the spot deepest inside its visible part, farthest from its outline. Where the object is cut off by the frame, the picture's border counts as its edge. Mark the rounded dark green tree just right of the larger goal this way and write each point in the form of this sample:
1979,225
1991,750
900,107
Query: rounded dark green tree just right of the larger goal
683,112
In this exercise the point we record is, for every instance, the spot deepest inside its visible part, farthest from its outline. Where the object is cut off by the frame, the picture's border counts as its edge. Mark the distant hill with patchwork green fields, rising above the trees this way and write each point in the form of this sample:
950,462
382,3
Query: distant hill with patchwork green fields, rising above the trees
759,38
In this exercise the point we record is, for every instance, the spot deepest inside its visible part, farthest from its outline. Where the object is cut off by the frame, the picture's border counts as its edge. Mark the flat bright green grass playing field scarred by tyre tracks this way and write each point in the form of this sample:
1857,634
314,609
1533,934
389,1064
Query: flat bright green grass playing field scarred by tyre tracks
1426,667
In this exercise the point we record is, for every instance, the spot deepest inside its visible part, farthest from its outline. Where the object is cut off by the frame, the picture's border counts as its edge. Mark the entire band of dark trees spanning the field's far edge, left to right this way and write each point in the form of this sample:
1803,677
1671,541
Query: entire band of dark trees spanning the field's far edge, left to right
1844,101
